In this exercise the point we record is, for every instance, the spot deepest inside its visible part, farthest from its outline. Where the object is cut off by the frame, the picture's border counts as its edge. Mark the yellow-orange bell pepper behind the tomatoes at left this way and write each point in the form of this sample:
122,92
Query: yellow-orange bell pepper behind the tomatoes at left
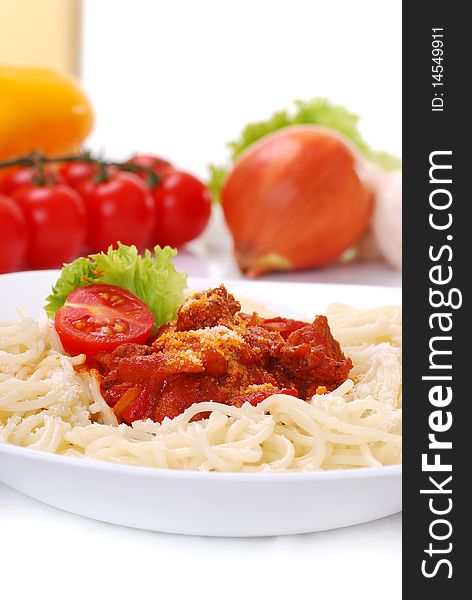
41,109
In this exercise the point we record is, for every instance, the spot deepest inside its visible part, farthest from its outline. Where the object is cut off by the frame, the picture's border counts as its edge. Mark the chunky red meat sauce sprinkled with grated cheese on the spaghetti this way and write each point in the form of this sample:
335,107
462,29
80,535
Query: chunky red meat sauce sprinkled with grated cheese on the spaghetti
212,352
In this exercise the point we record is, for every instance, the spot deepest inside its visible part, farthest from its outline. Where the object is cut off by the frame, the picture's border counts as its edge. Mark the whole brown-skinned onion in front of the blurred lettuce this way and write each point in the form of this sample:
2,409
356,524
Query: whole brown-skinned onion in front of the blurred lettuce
295,200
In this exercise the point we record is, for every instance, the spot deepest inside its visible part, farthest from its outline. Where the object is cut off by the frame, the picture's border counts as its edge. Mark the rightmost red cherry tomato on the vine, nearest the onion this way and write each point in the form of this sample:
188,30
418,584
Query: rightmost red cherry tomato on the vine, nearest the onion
183,207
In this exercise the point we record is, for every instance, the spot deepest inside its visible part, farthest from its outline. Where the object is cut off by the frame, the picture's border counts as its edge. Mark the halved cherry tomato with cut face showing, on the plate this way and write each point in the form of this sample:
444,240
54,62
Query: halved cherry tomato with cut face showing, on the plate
99,318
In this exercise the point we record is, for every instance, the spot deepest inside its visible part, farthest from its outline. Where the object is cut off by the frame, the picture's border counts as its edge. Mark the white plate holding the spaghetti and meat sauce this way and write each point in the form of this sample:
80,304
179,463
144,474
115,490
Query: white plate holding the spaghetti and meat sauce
218,504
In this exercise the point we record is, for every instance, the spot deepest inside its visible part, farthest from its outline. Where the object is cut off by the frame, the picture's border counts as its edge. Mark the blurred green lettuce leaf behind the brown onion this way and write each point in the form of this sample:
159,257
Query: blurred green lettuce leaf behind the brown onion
318,111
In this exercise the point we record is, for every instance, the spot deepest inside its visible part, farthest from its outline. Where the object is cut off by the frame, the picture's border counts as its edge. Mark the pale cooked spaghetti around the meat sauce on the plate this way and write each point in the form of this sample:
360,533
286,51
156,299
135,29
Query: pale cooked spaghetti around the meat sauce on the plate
49,403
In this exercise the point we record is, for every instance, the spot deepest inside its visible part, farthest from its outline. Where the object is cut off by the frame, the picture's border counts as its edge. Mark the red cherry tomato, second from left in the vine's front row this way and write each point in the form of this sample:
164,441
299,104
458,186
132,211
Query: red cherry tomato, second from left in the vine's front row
56,223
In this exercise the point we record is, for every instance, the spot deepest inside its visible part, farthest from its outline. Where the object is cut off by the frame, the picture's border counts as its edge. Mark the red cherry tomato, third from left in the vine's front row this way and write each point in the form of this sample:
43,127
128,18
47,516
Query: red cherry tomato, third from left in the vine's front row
120,209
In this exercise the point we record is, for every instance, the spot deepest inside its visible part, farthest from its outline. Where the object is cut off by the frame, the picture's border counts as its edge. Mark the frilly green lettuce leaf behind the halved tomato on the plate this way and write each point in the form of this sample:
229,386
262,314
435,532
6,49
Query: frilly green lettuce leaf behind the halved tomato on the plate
151,278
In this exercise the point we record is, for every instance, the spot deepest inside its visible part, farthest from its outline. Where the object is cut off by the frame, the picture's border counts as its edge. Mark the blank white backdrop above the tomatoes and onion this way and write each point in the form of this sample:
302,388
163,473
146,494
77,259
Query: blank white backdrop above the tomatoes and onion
182,77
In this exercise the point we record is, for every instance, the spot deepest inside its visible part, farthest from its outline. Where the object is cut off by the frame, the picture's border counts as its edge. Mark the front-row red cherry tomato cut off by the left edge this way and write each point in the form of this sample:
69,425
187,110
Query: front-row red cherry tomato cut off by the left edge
12,235
